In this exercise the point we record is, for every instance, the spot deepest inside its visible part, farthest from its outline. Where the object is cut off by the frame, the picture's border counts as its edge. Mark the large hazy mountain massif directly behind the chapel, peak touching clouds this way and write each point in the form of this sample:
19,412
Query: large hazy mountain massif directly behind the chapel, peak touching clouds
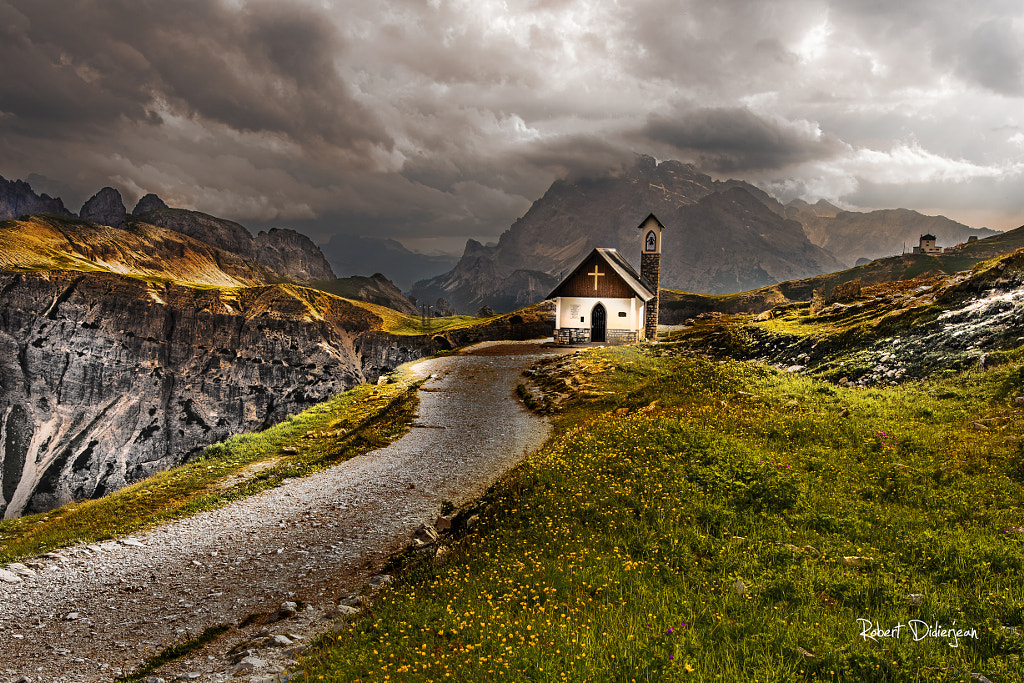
720,237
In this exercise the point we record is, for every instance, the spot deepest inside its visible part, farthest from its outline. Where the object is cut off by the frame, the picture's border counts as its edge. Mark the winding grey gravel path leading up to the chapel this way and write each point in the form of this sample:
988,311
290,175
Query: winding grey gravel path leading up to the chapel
106,610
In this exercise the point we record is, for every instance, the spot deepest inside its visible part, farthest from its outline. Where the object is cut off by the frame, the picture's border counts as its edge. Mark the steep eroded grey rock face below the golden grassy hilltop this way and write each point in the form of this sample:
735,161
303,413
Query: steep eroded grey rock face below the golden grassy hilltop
106,380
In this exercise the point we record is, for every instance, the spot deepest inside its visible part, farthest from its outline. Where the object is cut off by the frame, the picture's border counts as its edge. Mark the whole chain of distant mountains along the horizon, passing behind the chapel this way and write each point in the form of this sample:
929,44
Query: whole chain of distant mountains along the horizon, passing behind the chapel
722,237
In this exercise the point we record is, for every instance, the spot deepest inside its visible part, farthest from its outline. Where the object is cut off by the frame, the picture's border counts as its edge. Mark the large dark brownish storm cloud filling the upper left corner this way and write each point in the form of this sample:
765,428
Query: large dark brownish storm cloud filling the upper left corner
86,68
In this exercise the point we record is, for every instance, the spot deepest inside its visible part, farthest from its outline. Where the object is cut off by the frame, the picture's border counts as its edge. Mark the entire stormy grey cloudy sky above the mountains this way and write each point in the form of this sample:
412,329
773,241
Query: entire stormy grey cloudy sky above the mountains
432,121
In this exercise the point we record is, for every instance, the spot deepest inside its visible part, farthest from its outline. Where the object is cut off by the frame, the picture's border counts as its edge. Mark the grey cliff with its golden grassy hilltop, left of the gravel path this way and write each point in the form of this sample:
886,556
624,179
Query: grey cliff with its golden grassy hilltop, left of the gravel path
125,352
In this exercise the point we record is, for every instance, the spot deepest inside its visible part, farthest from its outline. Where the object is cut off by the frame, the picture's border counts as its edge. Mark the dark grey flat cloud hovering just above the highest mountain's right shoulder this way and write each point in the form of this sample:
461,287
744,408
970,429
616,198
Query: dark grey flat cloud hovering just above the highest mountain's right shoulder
735,141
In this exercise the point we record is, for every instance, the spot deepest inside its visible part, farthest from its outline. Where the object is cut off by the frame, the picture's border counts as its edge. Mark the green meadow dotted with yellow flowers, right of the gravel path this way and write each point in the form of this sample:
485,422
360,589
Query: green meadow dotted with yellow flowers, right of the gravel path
726,522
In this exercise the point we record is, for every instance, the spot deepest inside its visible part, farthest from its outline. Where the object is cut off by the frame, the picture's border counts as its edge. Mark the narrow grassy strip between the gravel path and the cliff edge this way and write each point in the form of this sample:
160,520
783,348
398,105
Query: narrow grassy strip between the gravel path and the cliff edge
355,422
